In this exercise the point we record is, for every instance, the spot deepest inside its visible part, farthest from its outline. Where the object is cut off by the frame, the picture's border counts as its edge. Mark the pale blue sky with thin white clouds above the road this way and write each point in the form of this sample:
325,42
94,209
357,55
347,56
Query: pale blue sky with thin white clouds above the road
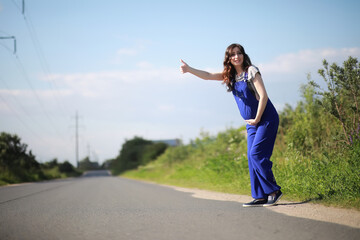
117,64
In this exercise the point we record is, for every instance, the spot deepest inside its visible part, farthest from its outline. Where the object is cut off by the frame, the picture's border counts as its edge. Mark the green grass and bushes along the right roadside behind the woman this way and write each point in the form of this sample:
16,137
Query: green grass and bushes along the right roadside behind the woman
316,156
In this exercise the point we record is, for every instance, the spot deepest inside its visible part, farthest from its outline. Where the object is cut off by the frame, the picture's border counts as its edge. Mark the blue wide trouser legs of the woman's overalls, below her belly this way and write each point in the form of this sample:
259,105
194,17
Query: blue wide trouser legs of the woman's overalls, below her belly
261,140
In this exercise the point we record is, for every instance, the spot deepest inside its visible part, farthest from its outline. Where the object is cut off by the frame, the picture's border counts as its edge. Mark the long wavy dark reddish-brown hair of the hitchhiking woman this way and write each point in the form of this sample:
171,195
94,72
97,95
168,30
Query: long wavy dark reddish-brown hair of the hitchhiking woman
229,71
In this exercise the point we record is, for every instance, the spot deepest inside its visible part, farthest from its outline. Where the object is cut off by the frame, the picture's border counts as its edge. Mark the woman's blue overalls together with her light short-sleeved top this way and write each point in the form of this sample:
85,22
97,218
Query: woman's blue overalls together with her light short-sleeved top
260,138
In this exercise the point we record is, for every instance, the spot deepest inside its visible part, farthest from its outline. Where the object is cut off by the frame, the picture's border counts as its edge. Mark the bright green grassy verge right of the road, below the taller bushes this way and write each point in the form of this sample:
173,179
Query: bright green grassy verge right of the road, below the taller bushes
220,164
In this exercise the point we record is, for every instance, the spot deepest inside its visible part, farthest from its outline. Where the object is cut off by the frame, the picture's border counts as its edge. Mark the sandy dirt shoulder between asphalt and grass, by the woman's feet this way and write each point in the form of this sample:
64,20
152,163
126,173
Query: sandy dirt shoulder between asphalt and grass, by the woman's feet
318,212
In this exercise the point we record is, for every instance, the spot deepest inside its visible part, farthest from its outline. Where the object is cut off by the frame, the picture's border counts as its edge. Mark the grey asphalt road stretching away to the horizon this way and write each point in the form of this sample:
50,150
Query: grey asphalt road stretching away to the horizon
98,206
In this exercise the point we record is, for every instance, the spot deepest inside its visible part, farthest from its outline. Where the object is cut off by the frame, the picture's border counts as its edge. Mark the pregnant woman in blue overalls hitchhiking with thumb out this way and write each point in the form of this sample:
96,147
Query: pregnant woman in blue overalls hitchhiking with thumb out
245,82
